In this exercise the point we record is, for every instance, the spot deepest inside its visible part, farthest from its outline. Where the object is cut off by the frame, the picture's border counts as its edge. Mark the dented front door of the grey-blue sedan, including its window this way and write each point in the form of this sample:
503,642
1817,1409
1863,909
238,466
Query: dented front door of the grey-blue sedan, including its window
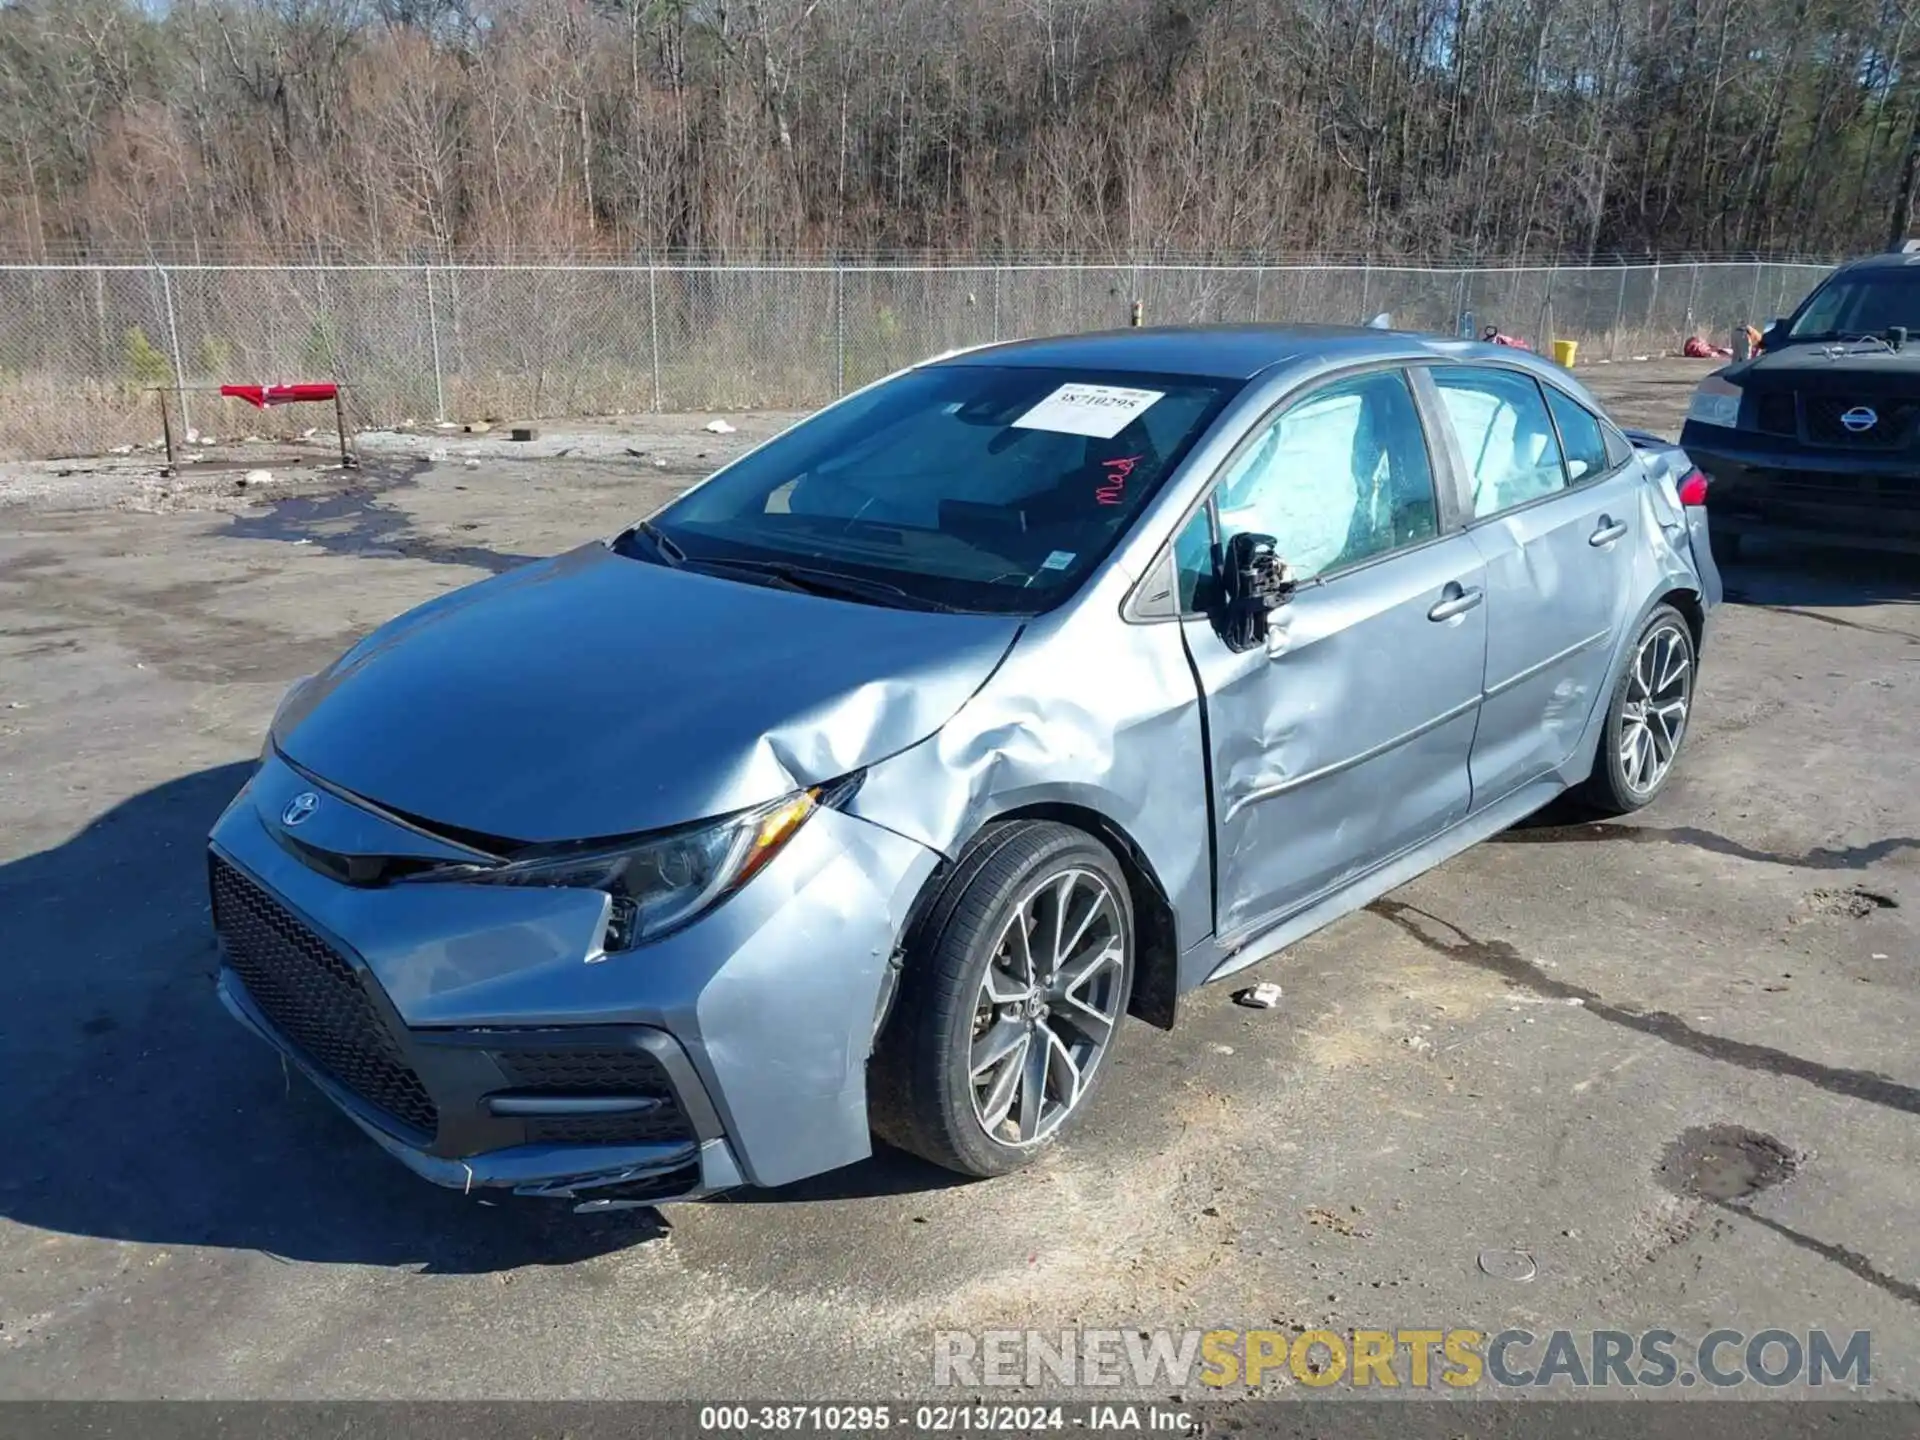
1343,738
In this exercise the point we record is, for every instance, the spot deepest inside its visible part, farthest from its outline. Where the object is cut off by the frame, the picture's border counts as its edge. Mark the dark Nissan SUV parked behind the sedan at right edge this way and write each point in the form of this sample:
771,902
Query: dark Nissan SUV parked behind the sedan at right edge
1819,435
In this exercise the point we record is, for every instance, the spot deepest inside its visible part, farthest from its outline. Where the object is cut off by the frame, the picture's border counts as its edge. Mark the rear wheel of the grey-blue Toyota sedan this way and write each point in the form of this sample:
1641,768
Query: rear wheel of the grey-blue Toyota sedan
1643,736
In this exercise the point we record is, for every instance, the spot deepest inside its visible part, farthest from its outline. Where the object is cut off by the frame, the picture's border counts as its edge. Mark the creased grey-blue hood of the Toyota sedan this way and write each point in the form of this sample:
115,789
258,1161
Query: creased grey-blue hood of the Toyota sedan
596,696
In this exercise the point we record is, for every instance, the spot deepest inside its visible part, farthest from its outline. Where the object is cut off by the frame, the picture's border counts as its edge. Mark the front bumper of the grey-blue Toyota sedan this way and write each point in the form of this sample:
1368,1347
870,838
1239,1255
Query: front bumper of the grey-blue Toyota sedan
479,1036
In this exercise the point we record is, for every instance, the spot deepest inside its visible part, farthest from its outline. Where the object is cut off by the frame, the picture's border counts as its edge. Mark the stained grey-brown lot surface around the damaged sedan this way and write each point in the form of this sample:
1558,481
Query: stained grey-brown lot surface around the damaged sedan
1669,1063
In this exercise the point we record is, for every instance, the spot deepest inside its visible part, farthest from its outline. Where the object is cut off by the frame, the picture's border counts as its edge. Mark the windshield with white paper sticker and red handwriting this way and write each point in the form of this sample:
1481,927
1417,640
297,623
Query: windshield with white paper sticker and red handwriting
969,487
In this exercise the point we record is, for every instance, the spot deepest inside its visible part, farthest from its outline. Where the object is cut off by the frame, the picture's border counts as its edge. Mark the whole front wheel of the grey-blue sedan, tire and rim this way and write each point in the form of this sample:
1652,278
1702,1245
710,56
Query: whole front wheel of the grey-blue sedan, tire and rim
953,1057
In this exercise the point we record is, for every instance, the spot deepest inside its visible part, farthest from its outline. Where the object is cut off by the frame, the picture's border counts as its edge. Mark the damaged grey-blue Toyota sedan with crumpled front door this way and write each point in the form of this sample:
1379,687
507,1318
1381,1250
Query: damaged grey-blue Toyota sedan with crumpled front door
873,782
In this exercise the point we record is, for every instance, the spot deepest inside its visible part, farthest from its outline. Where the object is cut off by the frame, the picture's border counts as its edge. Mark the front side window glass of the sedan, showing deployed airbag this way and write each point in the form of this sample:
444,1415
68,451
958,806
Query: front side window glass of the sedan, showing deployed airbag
1337,479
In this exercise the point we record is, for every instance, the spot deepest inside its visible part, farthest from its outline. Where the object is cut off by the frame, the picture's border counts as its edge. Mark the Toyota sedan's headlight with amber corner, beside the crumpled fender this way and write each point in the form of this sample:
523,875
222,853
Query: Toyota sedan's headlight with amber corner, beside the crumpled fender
663,882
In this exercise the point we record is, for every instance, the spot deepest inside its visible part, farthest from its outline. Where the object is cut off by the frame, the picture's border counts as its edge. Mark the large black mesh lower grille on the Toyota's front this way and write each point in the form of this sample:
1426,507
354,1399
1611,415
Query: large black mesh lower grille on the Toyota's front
314,997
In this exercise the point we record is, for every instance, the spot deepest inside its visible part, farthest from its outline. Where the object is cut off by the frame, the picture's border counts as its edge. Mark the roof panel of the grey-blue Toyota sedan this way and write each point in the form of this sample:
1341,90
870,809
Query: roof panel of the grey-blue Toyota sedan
1232,352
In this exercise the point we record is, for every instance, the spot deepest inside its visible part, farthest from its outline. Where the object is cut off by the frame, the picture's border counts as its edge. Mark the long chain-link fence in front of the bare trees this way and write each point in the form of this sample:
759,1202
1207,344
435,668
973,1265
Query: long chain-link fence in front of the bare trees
85,345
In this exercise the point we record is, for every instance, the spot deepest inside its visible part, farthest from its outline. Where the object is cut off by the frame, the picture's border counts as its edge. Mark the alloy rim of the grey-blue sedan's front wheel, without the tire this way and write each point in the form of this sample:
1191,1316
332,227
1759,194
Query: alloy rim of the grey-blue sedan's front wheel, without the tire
1047,1007
